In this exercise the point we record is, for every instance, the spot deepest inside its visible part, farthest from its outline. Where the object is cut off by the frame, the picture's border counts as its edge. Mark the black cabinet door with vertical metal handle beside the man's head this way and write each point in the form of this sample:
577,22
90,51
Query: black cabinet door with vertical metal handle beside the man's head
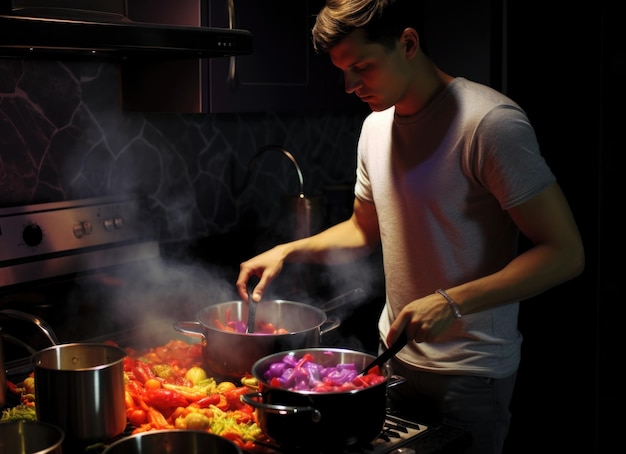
283,72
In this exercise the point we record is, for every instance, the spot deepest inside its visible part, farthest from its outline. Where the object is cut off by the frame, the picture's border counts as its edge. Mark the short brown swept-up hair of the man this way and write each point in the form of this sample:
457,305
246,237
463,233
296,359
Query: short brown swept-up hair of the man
383,21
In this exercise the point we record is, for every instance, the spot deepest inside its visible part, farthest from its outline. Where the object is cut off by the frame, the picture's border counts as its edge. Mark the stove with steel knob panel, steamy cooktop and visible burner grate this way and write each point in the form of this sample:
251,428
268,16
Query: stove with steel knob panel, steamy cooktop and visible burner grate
94,270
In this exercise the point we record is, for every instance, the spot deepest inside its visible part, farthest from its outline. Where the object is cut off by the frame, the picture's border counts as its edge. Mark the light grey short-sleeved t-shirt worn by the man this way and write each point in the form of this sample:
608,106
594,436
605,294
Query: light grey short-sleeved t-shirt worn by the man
441,181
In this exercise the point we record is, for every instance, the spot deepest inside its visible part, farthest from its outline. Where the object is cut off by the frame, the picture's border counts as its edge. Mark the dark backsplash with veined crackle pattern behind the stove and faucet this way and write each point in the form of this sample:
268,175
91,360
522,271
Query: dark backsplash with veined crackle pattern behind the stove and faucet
64,136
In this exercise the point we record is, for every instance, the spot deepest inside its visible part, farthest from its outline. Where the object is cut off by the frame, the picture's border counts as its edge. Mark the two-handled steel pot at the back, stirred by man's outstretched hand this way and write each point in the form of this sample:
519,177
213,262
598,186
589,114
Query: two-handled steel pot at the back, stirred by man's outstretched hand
231,355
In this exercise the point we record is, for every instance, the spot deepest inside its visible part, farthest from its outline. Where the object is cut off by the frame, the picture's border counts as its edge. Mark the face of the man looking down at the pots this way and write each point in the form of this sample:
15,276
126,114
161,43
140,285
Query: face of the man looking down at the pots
377,75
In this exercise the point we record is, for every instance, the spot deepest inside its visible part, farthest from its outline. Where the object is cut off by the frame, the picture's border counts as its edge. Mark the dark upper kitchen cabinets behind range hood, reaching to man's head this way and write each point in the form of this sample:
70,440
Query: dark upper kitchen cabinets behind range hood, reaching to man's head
283,73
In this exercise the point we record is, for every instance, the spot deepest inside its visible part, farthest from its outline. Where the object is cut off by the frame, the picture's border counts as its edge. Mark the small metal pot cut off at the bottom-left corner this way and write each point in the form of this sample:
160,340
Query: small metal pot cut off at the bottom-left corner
19,437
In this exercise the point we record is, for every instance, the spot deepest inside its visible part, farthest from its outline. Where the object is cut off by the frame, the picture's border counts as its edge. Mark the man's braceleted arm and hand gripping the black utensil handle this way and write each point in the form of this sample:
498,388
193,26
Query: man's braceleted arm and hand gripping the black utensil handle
556,255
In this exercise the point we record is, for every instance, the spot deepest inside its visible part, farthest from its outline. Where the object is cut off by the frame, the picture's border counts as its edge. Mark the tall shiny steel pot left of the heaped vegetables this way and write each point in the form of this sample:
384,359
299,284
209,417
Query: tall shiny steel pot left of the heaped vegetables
80,388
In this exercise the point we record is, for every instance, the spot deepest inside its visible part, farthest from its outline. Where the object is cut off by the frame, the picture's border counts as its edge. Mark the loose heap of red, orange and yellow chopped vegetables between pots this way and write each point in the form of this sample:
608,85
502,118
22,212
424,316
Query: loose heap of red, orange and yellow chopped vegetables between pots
186,397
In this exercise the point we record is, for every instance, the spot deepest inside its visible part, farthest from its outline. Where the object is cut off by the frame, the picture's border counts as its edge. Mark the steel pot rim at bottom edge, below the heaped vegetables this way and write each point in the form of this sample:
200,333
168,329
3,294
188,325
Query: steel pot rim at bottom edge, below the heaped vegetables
173,441
